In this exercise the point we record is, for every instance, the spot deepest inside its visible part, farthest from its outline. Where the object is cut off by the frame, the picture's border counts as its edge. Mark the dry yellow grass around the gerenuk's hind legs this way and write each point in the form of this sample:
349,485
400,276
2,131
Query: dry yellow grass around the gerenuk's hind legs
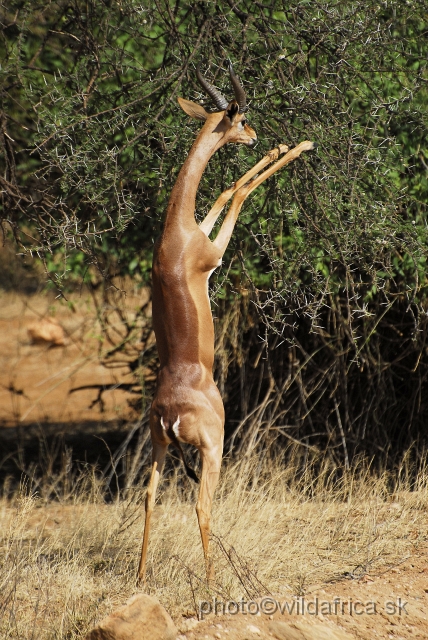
66,563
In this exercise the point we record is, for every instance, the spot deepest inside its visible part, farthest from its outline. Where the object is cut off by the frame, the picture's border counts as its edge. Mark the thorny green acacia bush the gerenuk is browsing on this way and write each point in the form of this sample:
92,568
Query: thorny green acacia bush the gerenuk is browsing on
321,302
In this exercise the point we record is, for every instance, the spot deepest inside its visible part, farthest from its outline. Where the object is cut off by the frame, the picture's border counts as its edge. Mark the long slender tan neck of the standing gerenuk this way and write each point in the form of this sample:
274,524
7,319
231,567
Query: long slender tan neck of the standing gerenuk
181,206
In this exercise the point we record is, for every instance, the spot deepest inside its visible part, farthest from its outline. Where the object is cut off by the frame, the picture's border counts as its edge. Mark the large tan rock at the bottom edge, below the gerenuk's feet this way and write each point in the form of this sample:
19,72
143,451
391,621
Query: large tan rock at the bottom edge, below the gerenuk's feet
141,618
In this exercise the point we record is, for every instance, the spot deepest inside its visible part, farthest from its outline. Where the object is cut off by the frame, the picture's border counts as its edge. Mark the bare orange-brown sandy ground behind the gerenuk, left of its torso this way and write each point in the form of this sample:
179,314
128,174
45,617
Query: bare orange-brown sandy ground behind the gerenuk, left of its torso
36,380
